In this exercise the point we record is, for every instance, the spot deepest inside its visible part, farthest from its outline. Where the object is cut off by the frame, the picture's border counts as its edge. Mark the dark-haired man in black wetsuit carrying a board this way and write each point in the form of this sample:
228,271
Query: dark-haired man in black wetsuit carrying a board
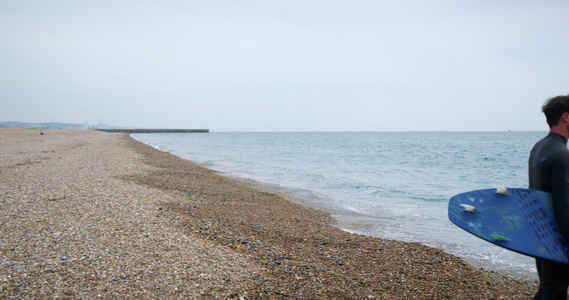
549,171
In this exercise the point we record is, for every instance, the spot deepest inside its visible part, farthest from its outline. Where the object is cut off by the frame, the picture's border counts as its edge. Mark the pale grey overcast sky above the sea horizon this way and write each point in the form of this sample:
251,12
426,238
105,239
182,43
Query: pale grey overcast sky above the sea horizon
285,65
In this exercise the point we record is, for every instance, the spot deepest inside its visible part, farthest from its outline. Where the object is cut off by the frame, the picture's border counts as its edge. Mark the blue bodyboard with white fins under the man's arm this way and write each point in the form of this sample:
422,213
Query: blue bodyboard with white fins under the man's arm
520,220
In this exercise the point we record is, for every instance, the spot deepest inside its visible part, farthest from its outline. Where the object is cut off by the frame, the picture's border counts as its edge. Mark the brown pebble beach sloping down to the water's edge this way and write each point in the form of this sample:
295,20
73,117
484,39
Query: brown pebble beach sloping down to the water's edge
93,215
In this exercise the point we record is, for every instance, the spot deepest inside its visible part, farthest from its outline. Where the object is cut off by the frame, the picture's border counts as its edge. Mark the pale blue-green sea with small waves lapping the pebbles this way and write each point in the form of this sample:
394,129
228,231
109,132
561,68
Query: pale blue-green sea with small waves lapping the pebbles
393,185
